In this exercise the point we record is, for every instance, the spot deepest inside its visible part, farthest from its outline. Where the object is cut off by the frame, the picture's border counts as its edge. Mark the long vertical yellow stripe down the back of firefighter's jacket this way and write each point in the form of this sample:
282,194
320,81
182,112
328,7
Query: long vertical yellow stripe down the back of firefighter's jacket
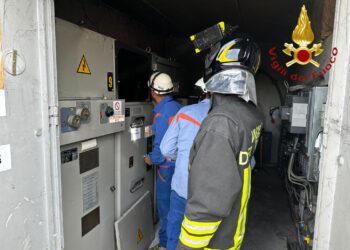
240,230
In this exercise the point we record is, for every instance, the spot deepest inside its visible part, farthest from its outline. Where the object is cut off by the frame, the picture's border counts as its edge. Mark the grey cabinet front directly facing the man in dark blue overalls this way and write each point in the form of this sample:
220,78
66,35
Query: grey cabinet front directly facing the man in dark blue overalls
134,177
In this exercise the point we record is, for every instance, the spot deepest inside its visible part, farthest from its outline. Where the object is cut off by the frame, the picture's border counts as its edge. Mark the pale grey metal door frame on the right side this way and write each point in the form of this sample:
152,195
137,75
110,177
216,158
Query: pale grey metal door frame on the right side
332,228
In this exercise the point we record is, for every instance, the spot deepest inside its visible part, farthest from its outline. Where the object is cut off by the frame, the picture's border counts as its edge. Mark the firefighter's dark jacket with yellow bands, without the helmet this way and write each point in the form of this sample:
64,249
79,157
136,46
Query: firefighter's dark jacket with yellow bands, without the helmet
219,175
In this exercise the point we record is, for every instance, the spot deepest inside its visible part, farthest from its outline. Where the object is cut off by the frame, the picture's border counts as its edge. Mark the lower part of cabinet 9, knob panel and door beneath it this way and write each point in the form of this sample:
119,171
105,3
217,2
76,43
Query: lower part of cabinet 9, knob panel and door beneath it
88,170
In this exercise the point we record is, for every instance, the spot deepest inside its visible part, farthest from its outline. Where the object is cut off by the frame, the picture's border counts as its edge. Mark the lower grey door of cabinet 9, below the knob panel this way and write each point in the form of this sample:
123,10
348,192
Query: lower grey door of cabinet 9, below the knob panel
82,193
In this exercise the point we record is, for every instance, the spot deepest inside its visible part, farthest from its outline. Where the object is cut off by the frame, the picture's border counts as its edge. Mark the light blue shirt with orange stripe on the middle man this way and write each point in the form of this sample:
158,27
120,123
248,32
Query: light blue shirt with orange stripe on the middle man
178,140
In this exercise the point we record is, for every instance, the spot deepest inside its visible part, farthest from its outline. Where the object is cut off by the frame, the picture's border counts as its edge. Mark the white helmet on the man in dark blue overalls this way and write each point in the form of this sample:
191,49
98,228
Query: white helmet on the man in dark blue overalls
161,83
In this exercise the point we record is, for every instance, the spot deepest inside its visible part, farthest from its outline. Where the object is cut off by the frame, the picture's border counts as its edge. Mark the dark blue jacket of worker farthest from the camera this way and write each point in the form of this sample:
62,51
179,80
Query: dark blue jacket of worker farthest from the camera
163,113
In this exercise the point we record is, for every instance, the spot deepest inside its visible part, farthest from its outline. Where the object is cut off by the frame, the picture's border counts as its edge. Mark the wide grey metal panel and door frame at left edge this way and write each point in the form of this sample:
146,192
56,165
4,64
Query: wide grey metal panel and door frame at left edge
31,127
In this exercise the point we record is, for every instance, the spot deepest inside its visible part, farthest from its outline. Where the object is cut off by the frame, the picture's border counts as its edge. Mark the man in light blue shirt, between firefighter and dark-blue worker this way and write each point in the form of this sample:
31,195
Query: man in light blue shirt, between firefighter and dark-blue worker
176,145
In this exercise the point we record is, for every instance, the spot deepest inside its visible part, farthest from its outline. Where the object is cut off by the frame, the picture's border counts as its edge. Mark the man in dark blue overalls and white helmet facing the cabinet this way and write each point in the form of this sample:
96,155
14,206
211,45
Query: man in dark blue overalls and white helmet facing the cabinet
166,107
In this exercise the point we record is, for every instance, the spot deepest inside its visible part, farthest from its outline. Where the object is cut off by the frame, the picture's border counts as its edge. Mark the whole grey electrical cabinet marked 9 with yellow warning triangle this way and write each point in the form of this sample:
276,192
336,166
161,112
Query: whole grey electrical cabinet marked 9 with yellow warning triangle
90,117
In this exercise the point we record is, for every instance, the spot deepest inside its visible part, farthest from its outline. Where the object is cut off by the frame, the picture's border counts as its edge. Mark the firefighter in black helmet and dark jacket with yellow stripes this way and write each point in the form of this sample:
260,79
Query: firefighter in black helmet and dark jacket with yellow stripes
219,169
